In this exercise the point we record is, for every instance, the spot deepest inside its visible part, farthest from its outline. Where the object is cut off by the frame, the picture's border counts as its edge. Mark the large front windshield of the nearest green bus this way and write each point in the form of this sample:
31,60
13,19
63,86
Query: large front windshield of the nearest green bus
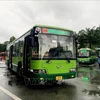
55,46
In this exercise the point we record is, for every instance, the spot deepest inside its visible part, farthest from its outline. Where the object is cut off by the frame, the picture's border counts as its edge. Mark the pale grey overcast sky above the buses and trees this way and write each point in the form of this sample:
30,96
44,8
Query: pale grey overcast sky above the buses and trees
17,17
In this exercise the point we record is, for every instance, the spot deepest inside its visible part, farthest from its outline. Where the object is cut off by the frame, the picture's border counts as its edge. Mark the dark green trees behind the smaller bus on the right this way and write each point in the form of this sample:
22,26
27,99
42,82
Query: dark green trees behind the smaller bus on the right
89,37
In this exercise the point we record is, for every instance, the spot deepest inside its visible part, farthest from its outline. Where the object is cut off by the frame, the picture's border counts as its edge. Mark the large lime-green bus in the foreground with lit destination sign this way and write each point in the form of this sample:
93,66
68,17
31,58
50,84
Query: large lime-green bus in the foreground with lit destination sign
43,53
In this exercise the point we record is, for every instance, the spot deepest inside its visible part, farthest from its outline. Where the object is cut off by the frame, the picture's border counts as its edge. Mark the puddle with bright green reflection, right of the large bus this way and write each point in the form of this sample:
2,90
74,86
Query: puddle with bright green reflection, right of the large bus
89,73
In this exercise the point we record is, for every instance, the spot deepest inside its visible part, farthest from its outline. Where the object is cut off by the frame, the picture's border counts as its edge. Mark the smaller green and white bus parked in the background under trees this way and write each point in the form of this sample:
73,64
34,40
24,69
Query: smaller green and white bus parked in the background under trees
87,56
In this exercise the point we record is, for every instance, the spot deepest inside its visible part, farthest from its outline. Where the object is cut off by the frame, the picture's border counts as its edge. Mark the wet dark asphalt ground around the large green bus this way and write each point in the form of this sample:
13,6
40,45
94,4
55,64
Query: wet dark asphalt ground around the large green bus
11,87
